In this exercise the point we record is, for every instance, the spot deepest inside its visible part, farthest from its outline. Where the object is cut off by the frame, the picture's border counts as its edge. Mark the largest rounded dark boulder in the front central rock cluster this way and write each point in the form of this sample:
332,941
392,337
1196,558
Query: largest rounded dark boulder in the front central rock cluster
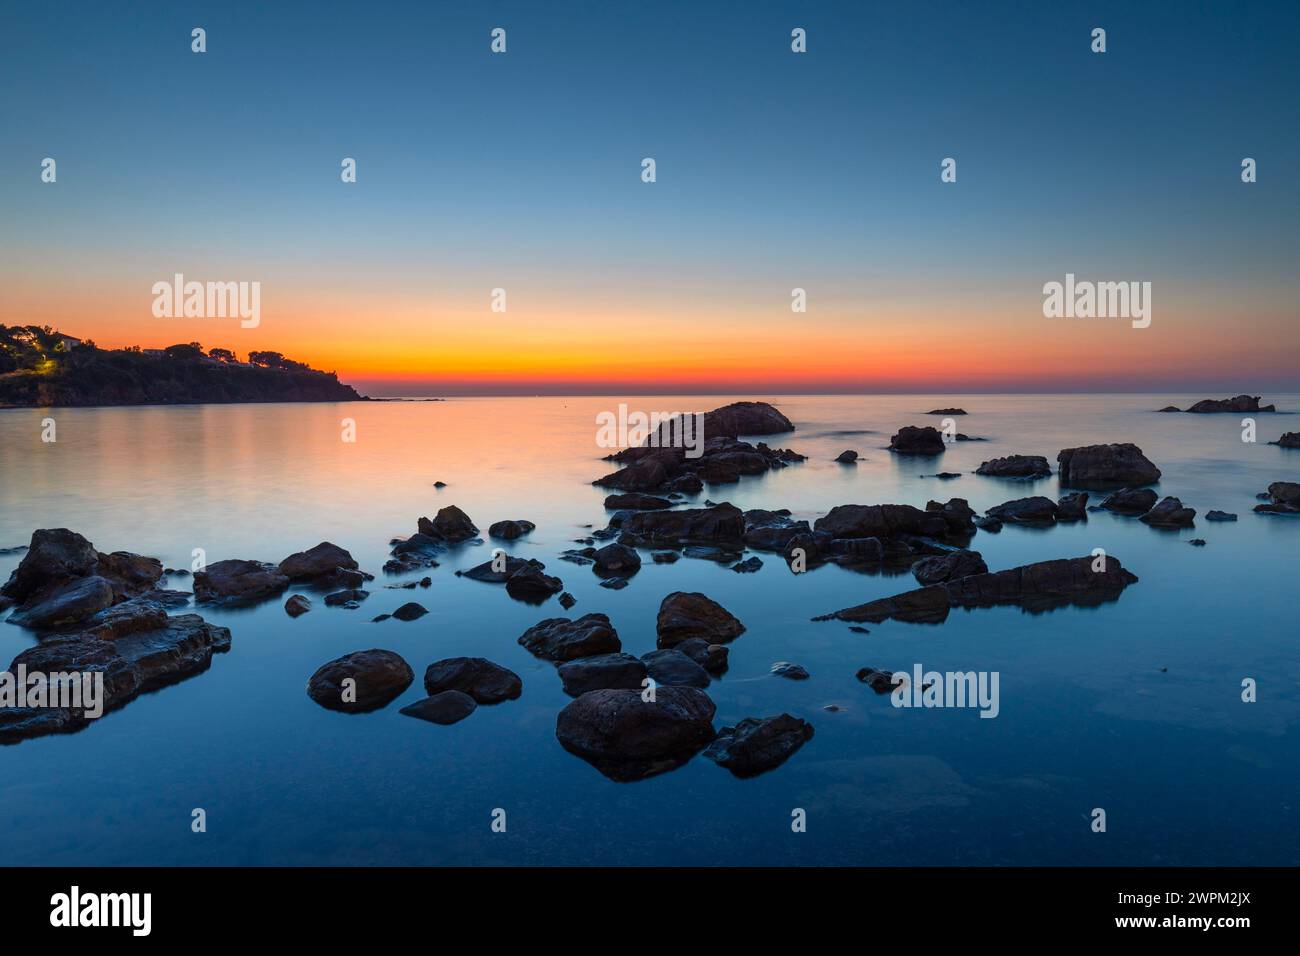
627,738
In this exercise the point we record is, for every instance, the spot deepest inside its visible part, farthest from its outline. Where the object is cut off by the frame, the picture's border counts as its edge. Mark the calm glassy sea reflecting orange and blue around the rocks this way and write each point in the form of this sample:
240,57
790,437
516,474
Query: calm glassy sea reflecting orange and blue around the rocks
1134,707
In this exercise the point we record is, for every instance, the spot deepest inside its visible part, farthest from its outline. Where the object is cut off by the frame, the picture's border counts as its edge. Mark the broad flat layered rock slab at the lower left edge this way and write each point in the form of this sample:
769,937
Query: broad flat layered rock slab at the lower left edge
132,664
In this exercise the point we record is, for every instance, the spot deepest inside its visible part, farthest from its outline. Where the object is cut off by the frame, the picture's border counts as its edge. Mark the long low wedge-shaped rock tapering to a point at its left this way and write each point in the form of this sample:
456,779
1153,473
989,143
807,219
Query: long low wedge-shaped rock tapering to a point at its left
1038,587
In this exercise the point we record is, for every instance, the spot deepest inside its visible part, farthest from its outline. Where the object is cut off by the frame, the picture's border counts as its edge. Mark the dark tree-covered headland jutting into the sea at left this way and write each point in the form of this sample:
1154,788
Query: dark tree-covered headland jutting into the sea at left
41,367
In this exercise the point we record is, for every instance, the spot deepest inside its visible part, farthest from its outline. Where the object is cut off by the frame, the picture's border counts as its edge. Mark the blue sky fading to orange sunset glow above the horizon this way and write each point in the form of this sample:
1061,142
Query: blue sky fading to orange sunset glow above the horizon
774,171
